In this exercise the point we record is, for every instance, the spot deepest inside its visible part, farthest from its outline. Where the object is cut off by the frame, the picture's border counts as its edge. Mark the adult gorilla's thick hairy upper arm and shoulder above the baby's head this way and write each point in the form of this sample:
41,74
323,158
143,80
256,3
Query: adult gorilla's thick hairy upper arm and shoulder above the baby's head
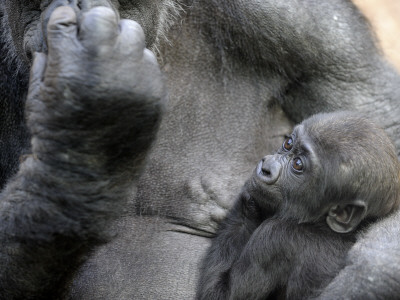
324,50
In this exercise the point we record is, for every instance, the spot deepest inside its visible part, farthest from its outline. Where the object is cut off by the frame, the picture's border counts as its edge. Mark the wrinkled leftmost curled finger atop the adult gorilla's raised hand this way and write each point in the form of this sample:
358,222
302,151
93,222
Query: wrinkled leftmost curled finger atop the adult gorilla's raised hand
62,23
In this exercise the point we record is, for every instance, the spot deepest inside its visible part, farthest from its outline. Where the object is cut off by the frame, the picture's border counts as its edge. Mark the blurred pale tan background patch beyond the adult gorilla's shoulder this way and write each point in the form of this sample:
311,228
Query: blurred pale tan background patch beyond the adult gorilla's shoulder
384,16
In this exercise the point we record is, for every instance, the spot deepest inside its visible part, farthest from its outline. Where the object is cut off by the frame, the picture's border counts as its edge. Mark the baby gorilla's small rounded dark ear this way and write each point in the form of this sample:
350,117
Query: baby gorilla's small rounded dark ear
345,218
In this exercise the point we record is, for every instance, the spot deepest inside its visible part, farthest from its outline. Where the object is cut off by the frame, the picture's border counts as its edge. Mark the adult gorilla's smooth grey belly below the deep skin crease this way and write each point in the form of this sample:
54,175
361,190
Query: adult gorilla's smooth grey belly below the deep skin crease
145,261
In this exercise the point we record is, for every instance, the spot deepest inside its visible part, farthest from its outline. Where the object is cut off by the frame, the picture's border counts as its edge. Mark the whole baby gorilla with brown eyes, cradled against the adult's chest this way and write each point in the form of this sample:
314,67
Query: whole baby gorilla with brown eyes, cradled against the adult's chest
298,215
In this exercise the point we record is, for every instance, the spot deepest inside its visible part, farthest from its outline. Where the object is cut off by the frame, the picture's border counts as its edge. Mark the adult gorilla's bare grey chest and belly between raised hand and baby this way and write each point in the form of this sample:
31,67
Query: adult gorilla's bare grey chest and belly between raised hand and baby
215,128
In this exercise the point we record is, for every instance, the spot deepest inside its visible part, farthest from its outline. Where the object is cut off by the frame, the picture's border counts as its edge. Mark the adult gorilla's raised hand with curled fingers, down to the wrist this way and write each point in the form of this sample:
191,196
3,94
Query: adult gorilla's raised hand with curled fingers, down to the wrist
98,94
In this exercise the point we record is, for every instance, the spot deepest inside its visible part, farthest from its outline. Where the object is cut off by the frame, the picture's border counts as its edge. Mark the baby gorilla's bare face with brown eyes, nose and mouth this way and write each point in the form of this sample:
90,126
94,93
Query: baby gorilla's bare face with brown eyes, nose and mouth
290,181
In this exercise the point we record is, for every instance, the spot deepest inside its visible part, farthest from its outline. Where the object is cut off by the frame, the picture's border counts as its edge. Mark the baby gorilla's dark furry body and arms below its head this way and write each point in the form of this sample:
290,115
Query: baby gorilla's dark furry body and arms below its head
278,259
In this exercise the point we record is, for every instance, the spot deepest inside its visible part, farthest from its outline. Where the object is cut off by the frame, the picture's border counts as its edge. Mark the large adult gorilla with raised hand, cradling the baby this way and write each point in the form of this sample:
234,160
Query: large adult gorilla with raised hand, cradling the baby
238,74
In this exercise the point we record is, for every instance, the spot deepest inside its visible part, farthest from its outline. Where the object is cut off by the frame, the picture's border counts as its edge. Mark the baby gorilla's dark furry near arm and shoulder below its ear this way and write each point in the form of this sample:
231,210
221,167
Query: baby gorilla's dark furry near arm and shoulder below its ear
285,259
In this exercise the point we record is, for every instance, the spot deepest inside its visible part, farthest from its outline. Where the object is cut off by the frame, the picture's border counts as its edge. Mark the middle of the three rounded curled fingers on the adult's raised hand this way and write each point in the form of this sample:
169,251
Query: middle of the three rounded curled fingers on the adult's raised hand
99,28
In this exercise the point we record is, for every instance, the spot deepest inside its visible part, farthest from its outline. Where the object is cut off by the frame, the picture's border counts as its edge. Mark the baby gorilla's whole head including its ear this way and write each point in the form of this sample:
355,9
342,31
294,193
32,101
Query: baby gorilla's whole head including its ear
338,167
